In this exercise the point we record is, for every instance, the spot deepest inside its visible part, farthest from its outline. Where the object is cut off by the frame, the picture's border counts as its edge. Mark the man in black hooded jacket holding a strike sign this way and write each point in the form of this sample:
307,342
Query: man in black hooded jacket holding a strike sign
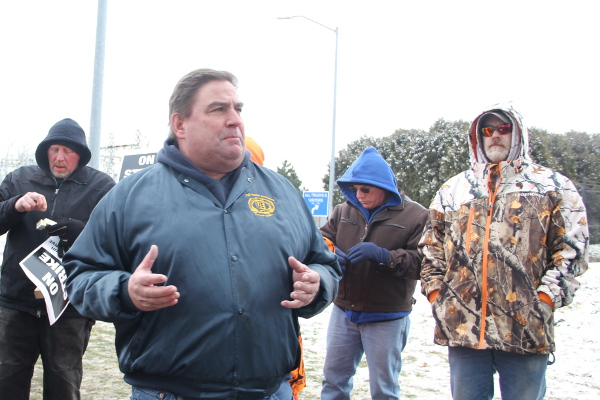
63,188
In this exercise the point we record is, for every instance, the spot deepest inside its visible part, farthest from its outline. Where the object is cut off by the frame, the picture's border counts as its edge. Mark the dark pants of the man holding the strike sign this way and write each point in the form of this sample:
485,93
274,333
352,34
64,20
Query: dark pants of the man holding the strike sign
23,338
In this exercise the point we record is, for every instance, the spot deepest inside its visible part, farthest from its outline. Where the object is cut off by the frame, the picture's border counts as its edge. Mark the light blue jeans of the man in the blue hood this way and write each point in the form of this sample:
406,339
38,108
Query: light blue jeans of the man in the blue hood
381,342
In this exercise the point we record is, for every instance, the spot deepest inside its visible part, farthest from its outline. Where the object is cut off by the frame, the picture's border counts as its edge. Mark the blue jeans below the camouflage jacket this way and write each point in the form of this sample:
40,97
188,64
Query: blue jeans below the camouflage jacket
521,377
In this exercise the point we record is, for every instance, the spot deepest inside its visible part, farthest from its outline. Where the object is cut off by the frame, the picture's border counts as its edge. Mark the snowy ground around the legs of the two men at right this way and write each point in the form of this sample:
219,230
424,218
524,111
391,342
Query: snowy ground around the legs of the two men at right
425,373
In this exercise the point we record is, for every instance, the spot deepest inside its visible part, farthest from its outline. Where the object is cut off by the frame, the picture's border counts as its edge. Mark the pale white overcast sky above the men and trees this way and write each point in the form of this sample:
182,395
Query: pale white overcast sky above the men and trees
401,65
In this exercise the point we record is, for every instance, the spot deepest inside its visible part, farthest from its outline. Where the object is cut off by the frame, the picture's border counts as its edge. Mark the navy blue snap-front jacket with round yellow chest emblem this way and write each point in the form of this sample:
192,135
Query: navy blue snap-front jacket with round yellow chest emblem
228,334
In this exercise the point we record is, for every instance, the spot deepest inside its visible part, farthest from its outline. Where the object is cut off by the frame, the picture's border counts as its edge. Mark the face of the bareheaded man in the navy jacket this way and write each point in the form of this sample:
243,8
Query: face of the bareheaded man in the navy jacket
212,137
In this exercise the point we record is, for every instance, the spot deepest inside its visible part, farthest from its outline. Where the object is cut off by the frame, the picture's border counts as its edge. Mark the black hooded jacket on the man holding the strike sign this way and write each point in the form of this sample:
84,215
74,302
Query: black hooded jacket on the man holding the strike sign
74,197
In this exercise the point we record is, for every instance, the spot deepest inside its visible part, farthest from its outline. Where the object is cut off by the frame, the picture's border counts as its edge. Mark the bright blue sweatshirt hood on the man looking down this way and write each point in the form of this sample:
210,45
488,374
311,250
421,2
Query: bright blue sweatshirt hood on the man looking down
370,169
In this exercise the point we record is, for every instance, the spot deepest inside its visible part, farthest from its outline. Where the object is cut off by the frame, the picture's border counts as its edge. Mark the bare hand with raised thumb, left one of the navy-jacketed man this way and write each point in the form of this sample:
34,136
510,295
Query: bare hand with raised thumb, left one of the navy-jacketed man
142,290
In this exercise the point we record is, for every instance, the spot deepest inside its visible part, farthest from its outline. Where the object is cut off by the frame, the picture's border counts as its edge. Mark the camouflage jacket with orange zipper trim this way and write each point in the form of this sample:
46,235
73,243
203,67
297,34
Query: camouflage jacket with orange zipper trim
500,248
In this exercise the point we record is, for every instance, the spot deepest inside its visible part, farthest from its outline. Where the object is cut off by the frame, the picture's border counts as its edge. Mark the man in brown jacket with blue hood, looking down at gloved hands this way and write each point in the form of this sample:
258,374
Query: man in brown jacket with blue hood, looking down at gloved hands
376,232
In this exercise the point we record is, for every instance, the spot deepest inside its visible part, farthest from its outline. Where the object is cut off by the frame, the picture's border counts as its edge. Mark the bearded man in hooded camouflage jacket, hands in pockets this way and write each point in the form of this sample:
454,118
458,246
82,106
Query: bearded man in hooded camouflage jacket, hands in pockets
504,243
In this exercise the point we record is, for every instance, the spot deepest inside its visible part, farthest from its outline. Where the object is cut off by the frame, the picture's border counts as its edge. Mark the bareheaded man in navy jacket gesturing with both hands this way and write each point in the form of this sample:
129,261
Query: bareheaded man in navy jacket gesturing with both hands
203,261
